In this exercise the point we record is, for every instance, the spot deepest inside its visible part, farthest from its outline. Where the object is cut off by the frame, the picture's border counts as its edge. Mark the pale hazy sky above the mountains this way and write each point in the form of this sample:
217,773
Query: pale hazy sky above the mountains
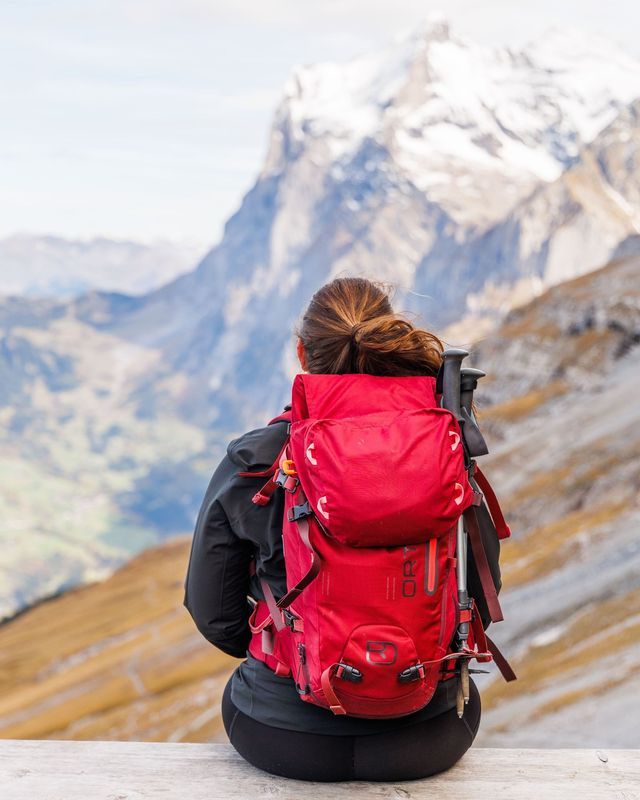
149,119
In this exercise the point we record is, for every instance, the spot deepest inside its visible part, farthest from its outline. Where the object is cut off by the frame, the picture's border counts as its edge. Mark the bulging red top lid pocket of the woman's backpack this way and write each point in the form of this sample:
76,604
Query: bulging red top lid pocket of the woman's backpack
383,479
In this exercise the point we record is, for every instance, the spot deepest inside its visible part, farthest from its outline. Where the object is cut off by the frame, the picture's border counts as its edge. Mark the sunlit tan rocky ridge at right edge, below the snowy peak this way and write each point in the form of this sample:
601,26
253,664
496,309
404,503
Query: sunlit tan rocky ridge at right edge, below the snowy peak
570,226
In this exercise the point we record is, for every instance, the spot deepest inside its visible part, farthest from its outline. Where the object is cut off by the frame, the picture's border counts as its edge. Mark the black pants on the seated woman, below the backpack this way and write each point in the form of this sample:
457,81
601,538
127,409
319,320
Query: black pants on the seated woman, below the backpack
414,751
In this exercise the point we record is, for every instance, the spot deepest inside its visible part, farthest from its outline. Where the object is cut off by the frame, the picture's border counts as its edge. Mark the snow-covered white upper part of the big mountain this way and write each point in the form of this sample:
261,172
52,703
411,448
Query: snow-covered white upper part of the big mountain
457,117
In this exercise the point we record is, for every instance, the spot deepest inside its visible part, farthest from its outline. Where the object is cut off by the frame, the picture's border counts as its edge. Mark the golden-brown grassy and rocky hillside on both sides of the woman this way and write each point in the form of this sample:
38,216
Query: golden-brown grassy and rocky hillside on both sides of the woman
122,660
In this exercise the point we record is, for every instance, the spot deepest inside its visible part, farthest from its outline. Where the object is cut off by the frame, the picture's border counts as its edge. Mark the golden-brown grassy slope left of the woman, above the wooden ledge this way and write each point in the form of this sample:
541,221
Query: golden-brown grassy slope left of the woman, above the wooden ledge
116,660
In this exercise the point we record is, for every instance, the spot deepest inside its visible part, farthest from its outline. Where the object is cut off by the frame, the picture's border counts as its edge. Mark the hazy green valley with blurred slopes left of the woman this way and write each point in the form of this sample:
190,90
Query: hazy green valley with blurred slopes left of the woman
86,481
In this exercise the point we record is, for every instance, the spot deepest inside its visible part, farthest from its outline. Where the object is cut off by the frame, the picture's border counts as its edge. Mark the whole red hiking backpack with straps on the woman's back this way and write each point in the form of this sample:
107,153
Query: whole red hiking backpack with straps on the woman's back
374,476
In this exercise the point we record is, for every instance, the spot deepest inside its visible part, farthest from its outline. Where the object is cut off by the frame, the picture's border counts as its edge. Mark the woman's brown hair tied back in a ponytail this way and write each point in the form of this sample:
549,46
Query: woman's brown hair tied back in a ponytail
350,326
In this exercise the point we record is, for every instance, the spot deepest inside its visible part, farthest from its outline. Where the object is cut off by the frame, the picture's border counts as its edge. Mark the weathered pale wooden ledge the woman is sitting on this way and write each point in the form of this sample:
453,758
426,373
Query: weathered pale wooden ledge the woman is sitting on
70,770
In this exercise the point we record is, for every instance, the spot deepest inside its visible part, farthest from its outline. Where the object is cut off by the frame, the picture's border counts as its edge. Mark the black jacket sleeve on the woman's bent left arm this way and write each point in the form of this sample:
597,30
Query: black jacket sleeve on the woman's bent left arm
217,580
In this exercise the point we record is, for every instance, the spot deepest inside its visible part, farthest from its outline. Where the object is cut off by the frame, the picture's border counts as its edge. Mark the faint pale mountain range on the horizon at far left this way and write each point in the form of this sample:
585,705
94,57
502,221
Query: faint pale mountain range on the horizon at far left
52,266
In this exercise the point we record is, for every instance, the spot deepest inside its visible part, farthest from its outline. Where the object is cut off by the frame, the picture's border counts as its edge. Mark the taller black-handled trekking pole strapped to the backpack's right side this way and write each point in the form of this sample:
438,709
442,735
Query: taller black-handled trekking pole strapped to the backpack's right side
451,400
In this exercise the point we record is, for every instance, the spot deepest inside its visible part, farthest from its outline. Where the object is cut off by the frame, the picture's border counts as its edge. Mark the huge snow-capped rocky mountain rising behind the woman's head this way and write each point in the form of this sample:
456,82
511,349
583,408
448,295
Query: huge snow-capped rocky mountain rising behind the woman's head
465,193
